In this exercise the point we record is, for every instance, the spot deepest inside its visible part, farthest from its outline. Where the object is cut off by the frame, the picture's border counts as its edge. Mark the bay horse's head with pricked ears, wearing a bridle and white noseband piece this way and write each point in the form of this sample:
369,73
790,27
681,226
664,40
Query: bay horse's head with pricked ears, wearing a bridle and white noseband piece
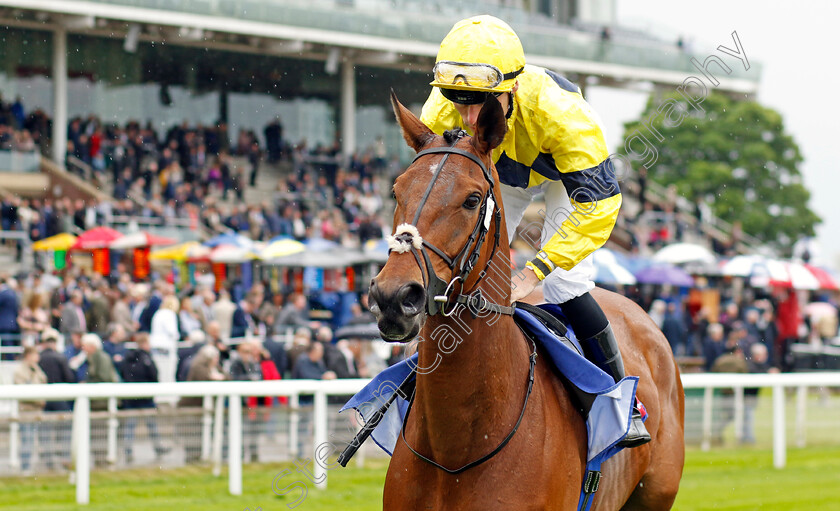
447,222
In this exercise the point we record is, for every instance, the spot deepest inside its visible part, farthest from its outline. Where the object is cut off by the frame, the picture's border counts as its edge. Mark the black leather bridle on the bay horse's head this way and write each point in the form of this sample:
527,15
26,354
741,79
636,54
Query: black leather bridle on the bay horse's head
439,293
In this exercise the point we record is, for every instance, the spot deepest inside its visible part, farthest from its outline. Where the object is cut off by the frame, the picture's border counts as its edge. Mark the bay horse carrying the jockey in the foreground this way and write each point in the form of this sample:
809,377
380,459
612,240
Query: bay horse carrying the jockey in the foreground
473,371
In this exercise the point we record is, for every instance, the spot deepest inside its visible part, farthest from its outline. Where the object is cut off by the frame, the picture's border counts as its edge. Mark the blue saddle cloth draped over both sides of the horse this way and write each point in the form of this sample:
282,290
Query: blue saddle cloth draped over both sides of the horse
607,423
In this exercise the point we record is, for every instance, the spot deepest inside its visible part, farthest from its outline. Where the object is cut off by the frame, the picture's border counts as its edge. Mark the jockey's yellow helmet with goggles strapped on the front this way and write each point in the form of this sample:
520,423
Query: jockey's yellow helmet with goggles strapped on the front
480,54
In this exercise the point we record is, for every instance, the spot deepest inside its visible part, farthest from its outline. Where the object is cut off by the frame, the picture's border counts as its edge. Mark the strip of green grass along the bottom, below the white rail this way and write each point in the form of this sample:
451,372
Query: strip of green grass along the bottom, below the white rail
725,479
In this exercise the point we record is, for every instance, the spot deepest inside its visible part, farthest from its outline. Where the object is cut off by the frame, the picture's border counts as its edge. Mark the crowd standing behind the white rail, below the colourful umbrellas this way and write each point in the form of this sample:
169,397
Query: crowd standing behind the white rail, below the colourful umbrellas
81,329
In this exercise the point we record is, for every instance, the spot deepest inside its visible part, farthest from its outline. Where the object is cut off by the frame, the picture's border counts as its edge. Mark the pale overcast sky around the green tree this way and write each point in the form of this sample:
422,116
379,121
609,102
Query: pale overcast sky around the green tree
796,44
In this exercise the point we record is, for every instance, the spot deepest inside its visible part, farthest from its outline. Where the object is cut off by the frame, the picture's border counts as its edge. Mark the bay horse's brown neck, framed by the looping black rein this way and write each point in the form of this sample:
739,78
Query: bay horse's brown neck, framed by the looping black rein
473,375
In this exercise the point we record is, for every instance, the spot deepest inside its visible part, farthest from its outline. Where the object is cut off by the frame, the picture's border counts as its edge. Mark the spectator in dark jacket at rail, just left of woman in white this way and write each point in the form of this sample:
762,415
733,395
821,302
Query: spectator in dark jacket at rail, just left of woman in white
139,367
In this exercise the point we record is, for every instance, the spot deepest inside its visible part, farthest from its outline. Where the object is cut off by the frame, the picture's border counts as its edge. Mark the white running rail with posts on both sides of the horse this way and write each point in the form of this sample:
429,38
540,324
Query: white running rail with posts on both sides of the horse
214,394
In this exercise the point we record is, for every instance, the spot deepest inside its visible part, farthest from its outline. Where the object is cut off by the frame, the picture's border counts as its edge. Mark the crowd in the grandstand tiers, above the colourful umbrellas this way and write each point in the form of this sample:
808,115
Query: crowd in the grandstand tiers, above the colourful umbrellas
193,174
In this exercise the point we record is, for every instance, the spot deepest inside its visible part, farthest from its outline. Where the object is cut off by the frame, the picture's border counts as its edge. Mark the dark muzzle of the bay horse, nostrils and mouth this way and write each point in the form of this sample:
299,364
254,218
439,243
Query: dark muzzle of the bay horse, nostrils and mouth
401,312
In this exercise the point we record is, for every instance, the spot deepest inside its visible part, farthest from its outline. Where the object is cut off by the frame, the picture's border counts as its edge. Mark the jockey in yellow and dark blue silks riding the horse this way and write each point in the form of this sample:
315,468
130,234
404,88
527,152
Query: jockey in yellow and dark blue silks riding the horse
554,146
